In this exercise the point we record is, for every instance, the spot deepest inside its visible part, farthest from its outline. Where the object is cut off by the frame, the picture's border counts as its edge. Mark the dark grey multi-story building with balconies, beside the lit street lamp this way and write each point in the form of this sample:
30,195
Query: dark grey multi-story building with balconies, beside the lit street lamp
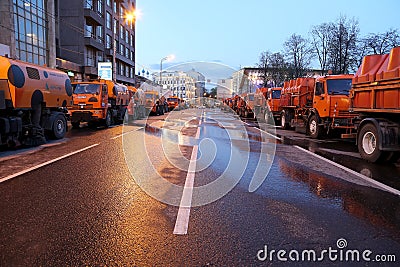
93,31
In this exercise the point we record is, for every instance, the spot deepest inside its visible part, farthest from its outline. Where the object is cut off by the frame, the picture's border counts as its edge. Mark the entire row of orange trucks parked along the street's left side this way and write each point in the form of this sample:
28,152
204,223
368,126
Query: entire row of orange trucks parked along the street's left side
36,102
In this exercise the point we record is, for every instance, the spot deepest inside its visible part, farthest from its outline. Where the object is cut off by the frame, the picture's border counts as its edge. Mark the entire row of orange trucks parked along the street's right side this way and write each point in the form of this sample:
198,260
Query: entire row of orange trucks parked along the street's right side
364,106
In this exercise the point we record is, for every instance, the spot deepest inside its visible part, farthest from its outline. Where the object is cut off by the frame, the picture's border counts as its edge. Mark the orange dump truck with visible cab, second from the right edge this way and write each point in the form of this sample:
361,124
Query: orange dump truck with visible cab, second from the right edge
317,105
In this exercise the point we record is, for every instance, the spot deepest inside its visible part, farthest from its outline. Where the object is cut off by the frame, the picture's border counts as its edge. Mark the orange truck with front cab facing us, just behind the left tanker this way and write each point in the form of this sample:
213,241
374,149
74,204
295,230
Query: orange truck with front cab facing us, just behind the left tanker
98,102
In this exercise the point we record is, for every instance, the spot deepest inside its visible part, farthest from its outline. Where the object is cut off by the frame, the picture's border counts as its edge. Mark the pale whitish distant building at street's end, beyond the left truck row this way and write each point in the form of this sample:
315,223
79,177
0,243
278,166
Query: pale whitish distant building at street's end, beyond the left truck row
178,83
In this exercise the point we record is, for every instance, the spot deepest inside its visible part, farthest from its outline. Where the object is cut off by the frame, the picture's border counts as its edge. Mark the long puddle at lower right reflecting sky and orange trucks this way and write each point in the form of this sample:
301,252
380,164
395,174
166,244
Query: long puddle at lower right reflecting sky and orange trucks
292,183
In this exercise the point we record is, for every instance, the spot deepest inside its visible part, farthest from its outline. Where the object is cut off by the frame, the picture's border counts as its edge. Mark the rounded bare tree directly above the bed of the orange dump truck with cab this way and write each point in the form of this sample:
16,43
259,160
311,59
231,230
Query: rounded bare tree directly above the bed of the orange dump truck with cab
299,54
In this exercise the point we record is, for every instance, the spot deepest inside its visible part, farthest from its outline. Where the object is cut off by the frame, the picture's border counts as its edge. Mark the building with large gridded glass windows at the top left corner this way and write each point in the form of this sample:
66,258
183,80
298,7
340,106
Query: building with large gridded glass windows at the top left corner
28,30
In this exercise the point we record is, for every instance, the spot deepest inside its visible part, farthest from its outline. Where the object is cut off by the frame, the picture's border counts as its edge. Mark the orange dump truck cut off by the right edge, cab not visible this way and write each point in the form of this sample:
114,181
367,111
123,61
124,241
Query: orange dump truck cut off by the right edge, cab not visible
375,96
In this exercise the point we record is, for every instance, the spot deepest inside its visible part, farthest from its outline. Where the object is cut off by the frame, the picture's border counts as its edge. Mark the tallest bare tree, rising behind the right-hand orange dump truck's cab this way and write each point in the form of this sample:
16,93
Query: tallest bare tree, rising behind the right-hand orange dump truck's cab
343,46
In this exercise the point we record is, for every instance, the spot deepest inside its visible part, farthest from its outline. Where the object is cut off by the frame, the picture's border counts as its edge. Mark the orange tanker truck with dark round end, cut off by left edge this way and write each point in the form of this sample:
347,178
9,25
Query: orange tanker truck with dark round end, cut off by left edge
33,102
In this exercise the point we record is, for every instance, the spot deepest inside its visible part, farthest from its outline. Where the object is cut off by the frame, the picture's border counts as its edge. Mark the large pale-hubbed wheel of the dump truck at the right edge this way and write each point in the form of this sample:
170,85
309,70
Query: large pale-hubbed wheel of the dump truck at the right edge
368,143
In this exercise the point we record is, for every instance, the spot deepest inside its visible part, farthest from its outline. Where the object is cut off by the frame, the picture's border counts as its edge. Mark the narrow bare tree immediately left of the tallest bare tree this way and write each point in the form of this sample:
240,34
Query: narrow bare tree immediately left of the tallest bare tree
321,39
